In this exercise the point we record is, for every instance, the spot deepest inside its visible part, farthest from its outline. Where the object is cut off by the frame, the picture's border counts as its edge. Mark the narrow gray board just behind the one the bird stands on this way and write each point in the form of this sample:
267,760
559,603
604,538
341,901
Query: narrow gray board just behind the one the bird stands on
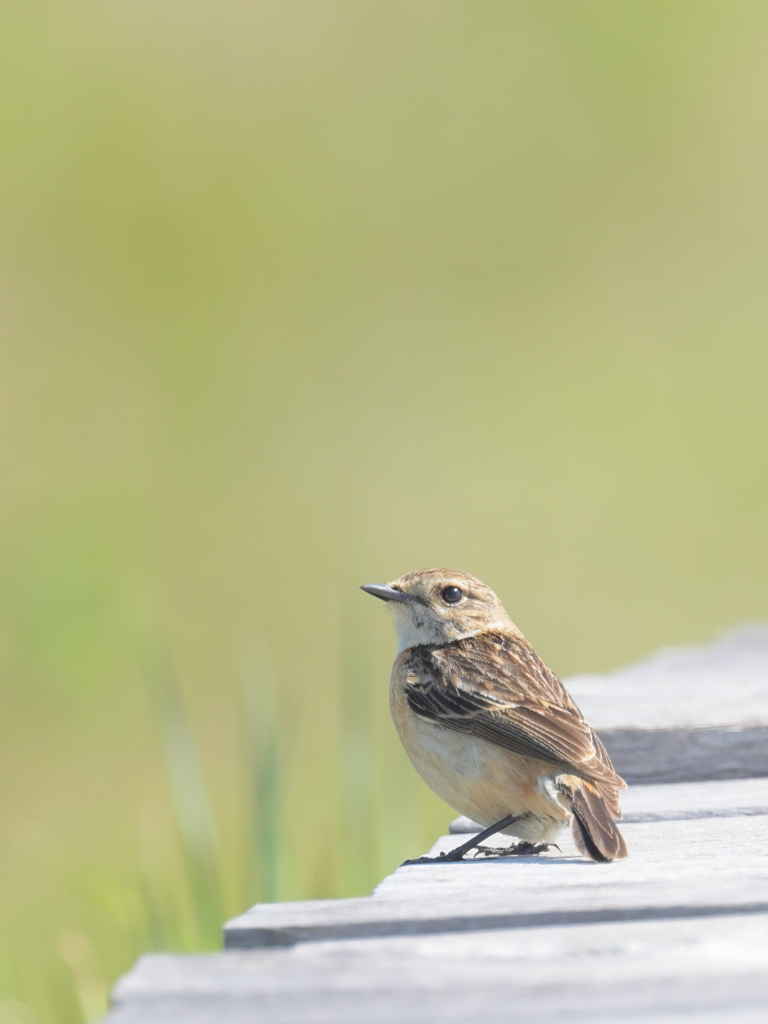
679,801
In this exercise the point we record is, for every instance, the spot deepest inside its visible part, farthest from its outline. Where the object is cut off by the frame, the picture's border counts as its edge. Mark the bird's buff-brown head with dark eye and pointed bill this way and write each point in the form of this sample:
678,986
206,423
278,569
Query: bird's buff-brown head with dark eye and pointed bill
438,607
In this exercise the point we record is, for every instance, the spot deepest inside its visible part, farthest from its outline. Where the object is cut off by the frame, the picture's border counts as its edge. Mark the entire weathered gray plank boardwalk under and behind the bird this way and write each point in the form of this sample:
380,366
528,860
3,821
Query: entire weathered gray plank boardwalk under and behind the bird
675,934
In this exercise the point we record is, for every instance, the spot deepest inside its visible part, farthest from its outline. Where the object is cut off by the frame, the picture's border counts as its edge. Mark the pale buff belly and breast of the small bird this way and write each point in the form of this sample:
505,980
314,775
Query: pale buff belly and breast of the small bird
481,780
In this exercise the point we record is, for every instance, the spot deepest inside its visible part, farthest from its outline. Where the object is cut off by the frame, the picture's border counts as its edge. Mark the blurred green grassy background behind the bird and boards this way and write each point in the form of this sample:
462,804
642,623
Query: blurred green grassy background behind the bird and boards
296,296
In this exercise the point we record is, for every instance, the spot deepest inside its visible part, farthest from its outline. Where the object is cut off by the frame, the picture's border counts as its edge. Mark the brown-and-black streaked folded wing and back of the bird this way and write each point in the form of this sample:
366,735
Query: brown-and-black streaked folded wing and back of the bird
495,687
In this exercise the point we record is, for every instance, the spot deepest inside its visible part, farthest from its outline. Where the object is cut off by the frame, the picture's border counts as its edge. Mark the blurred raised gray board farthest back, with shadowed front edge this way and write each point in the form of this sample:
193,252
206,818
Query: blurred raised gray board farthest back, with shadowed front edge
687,713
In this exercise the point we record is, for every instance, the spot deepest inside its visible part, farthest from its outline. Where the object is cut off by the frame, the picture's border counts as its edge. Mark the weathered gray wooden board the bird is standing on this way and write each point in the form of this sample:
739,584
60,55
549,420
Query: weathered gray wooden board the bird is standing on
677,869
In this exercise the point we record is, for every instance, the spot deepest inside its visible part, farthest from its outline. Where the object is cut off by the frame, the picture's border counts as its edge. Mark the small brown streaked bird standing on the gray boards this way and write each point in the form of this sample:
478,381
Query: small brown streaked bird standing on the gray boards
488,726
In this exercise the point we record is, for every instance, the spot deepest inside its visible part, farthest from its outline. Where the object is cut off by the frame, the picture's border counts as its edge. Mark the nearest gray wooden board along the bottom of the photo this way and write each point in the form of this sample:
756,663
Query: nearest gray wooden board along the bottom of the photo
713,972
